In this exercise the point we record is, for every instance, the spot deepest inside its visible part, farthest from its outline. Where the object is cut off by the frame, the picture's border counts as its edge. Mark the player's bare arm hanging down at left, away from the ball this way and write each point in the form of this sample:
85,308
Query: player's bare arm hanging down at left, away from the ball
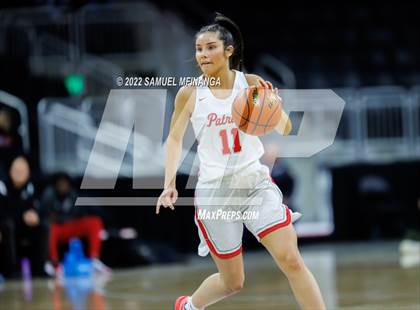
178,126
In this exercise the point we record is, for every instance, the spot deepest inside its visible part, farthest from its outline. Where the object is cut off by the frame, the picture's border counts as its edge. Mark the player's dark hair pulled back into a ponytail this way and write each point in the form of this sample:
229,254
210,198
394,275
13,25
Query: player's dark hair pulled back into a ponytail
230,34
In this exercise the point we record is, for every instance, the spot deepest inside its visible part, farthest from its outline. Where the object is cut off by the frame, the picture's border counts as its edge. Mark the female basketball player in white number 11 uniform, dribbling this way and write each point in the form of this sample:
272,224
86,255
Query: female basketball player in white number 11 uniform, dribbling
230,169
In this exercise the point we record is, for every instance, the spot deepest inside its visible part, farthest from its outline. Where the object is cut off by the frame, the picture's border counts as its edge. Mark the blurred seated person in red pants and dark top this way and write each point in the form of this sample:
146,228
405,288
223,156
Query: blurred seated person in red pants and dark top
68,221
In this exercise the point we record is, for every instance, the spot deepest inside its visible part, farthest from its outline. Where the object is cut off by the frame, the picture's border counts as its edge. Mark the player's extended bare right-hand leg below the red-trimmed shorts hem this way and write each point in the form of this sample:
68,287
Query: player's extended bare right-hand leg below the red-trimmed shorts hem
282,245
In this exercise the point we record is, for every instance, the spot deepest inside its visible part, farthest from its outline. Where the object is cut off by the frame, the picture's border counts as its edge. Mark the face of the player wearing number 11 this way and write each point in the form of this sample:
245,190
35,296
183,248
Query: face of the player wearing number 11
210,53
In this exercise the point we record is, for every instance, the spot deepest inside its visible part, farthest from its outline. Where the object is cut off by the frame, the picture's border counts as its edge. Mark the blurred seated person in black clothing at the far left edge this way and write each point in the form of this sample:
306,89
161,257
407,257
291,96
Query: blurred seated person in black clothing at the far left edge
22,234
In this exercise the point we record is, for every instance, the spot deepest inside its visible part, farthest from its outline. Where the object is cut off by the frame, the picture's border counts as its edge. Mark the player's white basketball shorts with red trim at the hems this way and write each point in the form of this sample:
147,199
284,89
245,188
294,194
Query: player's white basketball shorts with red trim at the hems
250,198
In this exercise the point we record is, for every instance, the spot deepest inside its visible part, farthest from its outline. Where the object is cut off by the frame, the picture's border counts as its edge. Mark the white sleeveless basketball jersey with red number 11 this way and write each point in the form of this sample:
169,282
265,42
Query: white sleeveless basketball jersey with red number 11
223,149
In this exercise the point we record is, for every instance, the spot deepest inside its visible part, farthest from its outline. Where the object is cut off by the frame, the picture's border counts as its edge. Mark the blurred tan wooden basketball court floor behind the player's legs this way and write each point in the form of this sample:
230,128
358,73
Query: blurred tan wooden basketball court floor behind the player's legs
351,276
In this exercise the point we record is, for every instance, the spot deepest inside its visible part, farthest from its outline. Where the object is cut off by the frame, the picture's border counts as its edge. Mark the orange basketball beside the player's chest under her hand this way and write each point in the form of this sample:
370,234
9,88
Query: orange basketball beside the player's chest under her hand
256,110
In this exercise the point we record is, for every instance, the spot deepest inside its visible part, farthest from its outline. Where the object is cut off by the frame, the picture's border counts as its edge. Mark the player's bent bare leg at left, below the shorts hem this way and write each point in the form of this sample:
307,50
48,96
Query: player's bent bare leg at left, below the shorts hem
228,281
